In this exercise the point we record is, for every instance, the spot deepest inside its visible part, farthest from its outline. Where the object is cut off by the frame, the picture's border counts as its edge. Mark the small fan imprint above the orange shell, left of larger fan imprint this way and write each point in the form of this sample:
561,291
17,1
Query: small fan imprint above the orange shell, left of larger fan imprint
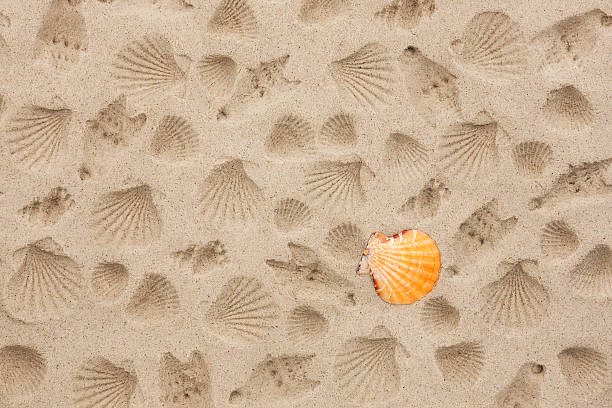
406,157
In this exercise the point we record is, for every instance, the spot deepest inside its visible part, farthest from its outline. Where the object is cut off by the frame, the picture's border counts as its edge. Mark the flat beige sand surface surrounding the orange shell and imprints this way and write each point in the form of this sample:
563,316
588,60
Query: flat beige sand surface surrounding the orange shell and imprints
97,329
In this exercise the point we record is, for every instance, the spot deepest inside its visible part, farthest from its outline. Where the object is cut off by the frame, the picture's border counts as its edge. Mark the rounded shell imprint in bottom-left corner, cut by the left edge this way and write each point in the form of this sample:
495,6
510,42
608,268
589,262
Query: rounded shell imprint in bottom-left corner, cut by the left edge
22,371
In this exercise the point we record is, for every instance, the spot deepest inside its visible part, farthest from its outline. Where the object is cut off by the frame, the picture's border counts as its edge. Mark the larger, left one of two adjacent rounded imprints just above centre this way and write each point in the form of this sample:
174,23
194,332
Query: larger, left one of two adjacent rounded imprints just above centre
291,137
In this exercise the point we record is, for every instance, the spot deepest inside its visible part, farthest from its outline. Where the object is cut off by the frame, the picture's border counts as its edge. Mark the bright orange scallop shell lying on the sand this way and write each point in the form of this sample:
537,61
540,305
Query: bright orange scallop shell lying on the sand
404,267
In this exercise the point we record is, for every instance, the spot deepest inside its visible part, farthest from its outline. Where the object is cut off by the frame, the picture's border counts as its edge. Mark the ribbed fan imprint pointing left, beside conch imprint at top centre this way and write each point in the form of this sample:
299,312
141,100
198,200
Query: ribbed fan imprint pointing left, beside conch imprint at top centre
367,74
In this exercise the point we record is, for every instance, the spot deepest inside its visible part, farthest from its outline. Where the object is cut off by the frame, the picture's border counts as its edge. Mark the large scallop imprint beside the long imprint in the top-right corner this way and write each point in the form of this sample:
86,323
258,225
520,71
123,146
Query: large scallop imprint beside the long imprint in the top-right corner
492,45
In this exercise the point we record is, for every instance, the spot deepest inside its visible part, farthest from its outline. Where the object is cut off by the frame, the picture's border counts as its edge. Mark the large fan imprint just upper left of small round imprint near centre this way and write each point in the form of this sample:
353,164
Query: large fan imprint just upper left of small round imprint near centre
229,194
